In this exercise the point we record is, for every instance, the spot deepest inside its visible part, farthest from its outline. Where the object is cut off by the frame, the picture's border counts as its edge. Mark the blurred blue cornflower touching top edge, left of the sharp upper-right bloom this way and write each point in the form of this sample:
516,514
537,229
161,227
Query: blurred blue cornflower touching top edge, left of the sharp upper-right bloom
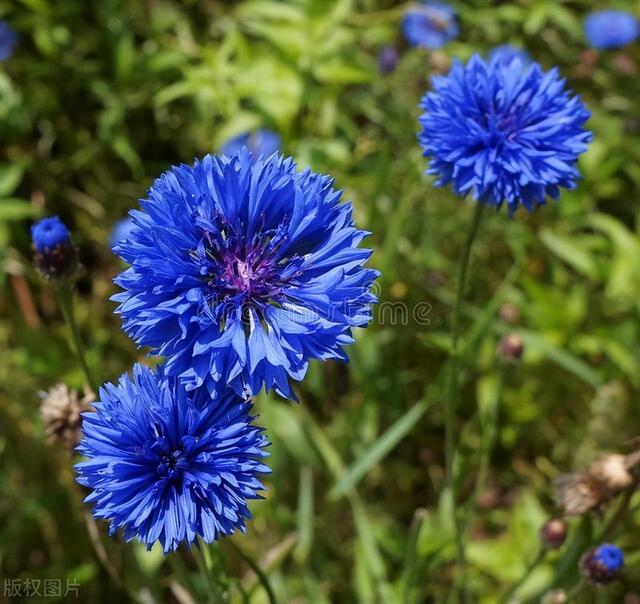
430,24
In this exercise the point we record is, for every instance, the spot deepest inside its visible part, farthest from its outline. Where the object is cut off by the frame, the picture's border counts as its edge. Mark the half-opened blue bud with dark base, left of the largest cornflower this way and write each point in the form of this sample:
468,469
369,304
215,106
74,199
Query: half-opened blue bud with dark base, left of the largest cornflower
54,254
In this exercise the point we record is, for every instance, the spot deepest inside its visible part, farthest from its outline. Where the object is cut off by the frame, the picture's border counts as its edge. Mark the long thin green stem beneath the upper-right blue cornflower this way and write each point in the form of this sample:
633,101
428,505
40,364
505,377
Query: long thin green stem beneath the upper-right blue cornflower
453,395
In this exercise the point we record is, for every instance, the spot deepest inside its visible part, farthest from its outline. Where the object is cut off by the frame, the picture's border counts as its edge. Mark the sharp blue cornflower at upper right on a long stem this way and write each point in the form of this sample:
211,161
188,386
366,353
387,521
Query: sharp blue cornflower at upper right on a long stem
503,133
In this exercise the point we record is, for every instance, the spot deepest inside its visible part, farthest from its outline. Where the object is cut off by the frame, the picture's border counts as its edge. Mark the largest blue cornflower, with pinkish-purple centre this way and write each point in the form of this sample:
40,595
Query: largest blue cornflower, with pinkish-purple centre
242,271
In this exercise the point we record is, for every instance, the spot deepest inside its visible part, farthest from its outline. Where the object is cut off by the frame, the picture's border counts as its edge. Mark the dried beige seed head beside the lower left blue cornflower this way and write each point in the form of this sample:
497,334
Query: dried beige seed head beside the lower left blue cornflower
60,410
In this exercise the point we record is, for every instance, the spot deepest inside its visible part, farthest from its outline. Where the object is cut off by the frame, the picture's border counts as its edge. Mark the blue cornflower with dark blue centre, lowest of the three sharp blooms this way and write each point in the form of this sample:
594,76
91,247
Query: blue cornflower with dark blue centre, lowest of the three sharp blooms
166,465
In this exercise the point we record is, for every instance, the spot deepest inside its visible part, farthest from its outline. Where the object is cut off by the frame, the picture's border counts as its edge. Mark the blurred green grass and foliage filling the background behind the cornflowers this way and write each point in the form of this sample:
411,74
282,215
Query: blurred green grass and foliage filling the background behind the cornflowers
101,97
